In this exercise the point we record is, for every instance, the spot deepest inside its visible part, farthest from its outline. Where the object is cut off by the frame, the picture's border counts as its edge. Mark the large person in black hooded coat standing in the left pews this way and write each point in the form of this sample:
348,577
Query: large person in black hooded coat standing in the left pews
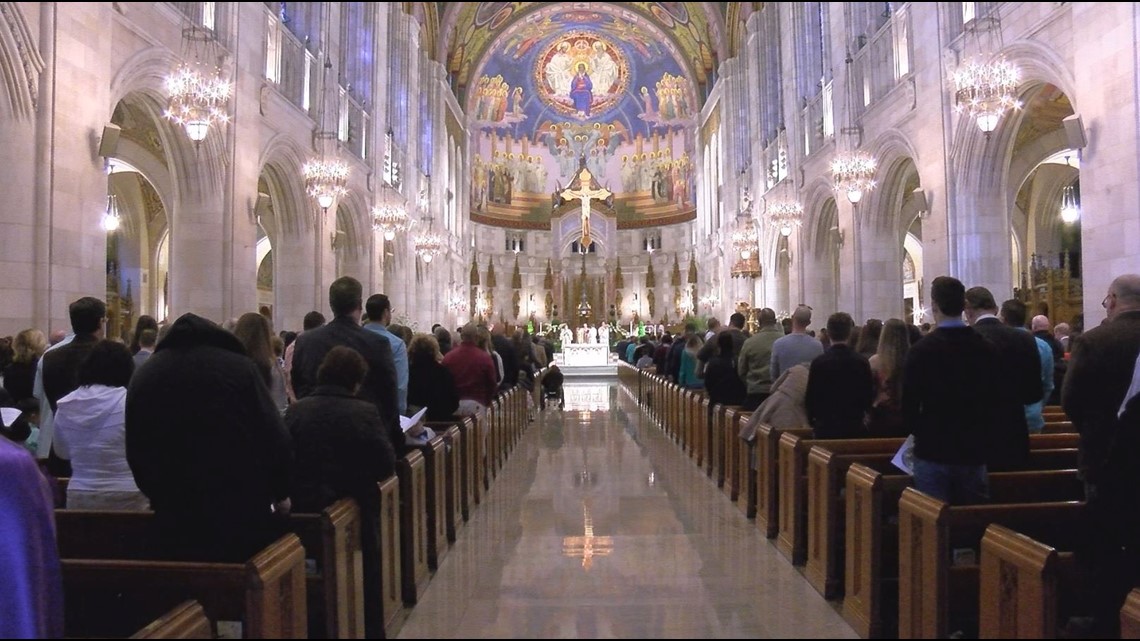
208,447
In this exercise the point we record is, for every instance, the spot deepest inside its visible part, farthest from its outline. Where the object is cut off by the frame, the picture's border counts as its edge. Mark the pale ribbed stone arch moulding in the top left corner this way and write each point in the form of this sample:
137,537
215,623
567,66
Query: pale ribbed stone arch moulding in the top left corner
21,66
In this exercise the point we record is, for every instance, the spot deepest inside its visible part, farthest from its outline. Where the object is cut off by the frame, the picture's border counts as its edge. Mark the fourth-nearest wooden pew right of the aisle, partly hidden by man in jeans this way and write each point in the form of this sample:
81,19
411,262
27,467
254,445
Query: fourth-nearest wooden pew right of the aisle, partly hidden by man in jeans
872,550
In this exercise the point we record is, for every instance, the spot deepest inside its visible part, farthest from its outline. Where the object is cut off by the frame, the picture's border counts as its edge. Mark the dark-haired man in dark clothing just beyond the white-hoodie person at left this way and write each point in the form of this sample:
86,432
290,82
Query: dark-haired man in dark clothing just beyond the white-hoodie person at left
60,367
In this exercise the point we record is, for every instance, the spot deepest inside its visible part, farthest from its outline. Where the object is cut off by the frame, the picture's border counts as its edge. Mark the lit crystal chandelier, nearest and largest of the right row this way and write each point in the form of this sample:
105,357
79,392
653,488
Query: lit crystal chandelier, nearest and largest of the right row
987,91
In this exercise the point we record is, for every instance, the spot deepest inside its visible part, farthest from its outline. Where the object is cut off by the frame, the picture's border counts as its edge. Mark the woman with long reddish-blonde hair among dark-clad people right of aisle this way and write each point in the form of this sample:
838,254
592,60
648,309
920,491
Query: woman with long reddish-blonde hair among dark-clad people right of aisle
885,419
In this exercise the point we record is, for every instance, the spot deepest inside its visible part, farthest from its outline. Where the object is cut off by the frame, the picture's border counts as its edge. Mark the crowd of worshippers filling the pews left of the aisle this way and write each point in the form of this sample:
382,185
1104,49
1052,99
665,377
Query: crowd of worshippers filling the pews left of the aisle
223,431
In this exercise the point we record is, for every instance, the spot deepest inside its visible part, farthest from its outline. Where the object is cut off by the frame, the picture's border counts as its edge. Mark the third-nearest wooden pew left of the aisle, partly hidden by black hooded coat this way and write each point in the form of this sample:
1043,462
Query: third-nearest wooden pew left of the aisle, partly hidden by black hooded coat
331,541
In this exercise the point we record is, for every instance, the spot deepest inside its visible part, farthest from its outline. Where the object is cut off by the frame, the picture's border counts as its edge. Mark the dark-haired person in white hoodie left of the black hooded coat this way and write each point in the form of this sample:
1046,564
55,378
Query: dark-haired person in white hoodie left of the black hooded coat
91,433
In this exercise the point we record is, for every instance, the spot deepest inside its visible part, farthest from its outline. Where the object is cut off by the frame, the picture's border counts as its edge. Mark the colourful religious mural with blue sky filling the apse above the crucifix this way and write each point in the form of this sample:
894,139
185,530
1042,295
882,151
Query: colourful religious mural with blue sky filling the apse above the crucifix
564,88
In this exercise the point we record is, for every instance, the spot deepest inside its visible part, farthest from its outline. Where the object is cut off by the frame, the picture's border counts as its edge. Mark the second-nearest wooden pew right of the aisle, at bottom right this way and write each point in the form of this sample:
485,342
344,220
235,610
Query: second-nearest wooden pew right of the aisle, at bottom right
1030,589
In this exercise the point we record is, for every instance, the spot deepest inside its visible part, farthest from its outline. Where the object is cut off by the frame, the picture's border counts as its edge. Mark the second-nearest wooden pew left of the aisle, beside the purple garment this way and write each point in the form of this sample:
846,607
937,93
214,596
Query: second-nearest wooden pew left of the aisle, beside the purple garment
118,597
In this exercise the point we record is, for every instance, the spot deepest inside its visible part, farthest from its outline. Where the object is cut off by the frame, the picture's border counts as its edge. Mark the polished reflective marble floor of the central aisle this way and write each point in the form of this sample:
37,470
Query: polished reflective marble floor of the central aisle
599,528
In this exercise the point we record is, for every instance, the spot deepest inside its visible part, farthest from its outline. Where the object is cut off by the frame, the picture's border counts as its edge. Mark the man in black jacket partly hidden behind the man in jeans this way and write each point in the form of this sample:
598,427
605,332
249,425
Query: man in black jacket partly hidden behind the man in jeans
1020,382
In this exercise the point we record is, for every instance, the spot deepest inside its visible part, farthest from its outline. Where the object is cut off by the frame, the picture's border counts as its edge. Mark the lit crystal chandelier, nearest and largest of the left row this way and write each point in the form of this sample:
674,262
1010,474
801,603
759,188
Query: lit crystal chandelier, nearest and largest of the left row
198,94
